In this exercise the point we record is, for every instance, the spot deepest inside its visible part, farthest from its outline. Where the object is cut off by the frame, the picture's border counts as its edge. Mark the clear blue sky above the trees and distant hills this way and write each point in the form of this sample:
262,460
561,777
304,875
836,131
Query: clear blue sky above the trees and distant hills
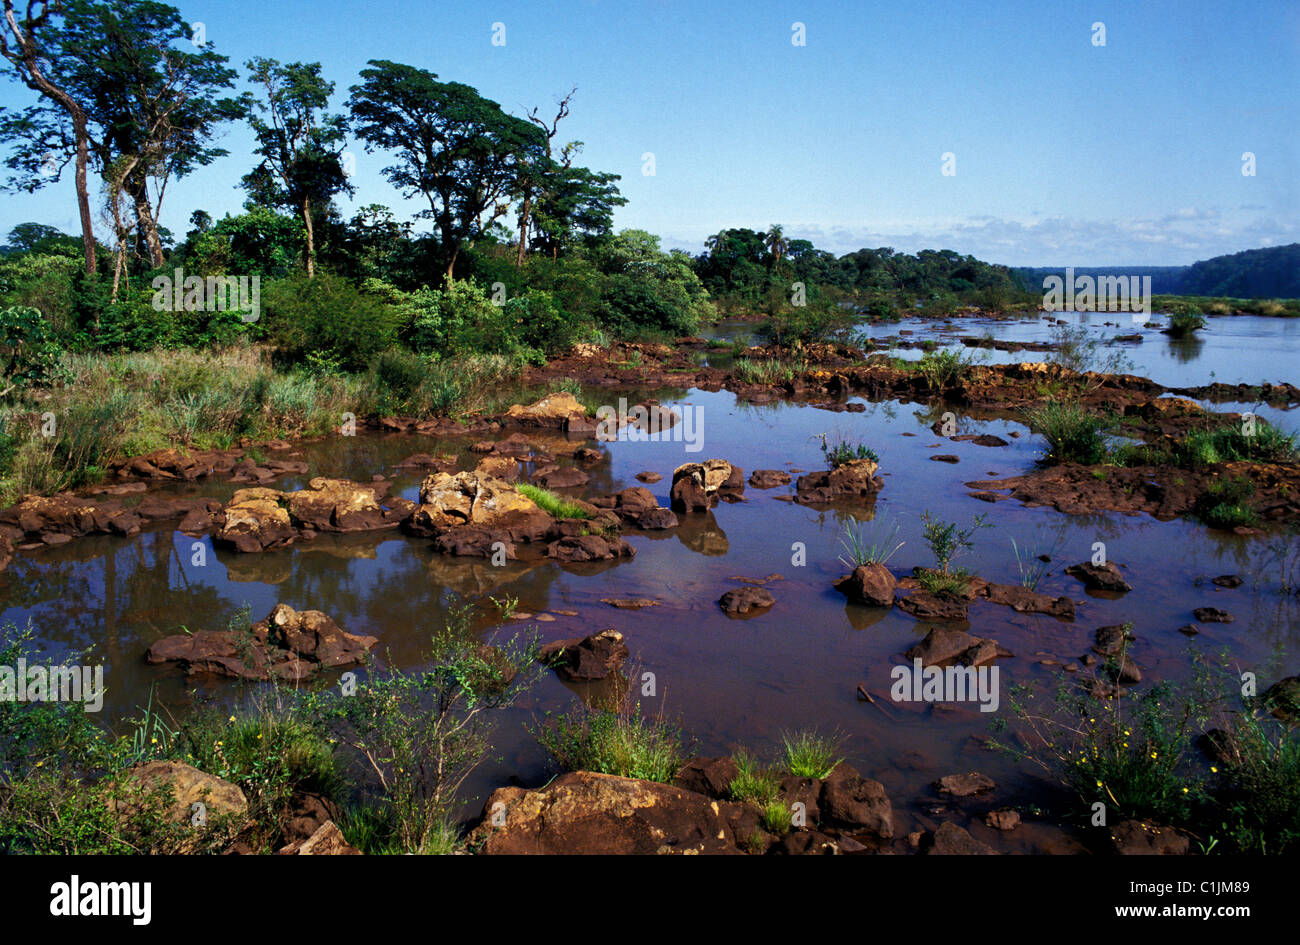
1067,154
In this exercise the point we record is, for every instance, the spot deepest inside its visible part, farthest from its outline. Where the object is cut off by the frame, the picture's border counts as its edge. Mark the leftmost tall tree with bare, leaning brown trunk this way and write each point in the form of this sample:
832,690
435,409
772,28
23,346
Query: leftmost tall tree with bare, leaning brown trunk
31,46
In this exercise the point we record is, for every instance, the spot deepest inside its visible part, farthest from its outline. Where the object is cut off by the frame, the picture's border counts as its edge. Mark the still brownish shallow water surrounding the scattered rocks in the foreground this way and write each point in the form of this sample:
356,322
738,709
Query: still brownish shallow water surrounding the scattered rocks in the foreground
729,682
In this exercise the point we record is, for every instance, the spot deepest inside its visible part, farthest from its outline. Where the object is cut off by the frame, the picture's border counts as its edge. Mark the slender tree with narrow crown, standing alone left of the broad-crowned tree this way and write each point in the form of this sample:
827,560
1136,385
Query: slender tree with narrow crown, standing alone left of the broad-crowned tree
300,144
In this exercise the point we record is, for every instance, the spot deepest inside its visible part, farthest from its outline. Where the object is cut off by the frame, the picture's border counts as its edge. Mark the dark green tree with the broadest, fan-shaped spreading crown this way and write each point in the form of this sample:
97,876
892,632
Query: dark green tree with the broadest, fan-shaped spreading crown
453,146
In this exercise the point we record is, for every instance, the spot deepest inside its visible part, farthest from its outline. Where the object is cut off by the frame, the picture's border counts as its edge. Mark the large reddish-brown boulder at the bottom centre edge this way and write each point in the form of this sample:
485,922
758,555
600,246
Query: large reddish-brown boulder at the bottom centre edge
601,814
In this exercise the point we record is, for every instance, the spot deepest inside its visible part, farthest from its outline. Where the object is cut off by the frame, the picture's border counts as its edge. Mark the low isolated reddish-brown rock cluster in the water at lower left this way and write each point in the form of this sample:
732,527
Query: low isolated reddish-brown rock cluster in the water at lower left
287,645
